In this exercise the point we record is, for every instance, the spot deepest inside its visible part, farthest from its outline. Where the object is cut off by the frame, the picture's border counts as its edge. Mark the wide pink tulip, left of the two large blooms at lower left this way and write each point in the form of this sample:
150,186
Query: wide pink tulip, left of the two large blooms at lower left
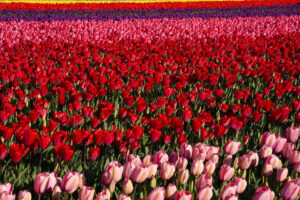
44,182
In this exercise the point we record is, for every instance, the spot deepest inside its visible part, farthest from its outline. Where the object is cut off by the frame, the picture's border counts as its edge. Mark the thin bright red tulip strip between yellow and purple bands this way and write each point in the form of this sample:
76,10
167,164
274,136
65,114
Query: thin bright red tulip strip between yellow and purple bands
145,5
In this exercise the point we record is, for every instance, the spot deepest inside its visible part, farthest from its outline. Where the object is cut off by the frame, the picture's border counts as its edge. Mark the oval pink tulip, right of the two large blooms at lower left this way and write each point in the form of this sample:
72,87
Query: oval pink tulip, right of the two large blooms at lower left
70,182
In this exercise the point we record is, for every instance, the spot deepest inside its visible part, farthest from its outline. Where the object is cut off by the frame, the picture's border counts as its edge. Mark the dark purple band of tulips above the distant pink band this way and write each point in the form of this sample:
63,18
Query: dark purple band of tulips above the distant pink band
69,15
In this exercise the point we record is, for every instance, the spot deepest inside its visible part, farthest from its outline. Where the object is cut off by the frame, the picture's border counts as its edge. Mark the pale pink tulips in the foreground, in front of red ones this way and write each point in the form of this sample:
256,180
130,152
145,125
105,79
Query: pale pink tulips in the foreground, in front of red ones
195,169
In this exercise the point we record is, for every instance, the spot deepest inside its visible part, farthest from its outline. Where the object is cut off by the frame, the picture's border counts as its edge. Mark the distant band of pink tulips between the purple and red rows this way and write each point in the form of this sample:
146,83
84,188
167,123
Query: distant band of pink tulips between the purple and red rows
95,31
